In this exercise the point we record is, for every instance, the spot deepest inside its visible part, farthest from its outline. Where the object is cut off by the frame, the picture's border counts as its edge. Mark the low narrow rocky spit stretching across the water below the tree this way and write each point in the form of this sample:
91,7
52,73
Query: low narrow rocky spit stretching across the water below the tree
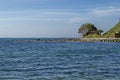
74,40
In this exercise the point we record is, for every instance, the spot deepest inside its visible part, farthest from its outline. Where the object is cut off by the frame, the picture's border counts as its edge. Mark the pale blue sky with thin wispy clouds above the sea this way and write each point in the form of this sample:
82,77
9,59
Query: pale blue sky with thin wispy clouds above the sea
55,18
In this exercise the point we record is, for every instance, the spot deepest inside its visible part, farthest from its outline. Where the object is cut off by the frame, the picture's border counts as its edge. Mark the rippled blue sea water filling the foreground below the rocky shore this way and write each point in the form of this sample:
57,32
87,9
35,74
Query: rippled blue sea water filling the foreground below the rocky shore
59,61
